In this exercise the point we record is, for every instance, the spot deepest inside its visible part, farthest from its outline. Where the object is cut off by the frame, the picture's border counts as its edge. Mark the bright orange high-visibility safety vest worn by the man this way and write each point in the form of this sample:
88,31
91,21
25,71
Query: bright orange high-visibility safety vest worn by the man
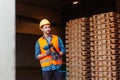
47,60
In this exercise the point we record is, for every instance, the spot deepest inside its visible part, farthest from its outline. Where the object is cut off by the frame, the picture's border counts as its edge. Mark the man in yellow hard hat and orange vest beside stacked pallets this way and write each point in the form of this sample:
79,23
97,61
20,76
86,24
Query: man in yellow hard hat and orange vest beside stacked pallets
48,50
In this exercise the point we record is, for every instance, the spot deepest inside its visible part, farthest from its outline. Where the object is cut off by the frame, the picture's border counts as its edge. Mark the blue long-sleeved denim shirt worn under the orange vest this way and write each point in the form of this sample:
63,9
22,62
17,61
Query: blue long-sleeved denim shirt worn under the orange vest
37,52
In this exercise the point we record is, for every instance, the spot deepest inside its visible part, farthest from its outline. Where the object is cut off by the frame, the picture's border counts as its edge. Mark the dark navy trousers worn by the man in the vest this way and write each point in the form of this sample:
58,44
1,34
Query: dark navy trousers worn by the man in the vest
52,75
